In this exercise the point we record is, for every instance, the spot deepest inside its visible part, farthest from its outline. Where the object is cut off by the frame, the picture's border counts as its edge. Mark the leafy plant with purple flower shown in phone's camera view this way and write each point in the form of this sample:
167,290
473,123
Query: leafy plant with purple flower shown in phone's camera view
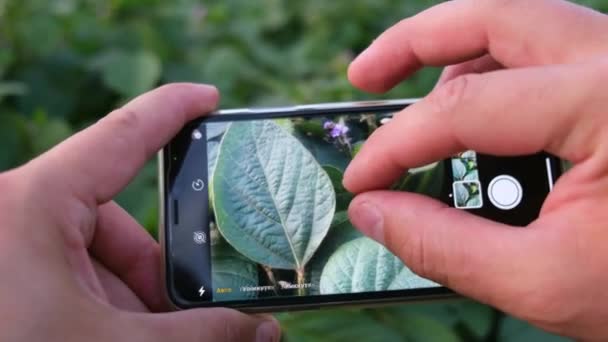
279,204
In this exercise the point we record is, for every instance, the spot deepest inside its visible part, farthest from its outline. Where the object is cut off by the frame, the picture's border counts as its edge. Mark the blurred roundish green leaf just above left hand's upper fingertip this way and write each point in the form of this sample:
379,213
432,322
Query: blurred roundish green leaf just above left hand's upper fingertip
130,73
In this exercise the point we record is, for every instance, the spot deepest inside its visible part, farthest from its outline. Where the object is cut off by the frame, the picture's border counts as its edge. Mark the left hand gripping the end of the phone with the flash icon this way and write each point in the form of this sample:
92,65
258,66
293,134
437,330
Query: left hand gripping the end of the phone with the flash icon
75,266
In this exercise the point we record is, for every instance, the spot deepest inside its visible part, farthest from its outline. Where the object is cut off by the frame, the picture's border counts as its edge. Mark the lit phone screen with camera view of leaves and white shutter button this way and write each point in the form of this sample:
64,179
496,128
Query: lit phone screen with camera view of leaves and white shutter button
276,211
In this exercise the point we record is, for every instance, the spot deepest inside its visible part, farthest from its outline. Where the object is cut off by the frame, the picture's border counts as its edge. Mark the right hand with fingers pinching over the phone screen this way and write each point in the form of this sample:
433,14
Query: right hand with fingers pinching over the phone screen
530,76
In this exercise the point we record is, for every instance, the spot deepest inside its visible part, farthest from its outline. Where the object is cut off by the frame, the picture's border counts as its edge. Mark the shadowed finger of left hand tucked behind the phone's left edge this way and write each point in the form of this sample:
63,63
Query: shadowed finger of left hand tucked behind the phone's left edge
123,247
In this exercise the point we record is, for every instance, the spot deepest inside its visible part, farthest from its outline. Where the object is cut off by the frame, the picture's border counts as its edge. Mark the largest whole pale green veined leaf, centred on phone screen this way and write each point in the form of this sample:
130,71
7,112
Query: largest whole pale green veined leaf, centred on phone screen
273,201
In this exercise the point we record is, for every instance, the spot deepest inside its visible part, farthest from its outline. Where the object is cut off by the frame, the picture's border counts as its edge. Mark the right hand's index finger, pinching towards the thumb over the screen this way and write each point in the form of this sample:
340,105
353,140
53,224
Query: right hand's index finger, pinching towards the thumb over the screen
514,112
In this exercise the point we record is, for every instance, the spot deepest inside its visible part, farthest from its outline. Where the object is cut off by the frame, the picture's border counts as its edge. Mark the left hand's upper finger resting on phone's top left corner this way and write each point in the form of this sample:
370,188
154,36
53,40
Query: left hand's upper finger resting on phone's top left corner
98,162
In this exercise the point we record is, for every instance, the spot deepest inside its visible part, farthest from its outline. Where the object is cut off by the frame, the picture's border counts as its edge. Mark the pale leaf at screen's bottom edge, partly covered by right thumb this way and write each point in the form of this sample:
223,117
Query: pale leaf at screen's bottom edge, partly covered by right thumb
363,265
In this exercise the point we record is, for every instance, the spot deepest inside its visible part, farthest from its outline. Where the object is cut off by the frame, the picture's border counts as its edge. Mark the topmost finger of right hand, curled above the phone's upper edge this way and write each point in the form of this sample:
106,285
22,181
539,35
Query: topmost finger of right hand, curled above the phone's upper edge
515,33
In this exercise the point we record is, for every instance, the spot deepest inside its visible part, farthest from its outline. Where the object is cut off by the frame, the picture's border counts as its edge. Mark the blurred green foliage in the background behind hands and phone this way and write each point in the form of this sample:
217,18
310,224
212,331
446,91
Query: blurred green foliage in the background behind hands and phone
66,63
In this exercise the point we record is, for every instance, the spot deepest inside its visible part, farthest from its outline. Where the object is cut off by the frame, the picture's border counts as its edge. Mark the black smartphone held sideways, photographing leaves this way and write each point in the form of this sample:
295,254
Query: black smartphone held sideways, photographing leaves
253,212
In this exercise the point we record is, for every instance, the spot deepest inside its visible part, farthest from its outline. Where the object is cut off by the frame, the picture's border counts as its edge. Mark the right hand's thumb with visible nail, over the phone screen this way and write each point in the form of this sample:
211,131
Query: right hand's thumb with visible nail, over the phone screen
476,257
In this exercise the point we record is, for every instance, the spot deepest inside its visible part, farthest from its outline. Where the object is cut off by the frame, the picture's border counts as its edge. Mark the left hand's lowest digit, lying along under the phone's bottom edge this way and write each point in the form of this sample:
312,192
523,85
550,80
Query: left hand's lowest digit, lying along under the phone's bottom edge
213,325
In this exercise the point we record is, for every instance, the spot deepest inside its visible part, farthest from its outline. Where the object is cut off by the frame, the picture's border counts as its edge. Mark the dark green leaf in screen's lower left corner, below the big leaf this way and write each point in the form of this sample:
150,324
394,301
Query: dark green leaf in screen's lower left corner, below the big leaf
232,270
